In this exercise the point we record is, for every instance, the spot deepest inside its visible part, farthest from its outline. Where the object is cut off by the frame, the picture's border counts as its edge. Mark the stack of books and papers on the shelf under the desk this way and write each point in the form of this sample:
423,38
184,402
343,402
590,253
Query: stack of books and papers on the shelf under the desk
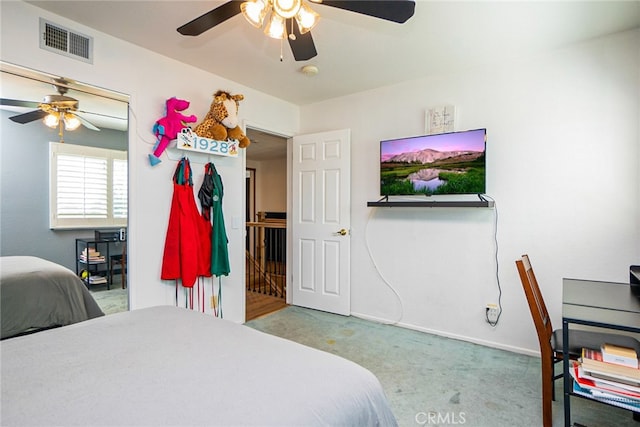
609,374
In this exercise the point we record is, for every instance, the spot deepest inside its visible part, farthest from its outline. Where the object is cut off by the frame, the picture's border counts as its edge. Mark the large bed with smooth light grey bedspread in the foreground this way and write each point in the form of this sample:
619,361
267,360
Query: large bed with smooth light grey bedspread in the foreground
172,366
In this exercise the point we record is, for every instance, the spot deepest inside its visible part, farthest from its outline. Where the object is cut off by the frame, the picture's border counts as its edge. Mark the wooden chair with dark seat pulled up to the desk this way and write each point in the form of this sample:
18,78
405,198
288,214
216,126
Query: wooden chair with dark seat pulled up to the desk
550,340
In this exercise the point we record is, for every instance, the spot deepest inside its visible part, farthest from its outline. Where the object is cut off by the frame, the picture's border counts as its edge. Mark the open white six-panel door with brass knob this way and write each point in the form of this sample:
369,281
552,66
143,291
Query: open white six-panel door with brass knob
321,221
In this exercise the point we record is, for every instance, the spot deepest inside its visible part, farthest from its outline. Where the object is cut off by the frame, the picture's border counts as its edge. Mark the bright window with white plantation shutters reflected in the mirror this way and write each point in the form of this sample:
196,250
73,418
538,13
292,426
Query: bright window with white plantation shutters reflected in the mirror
88,187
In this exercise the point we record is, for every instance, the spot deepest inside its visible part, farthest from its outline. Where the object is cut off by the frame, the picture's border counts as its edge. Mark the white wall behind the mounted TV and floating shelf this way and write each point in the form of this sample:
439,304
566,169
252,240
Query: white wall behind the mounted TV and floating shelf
563,156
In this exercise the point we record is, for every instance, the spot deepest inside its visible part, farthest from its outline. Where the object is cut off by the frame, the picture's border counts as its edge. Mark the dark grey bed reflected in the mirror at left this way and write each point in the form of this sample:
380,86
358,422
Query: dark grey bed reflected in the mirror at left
39,294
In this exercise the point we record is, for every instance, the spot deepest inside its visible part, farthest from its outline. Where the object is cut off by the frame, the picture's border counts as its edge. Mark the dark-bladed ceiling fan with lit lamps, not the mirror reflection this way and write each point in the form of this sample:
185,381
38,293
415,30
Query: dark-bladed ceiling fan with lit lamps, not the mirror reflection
293,19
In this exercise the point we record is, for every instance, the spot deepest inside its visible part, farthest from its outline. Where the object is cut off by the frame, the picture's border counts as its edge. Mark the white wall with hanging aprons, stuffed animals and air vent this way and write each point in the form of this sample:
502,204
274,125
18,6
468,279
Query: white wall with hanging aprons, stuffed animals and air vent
150,79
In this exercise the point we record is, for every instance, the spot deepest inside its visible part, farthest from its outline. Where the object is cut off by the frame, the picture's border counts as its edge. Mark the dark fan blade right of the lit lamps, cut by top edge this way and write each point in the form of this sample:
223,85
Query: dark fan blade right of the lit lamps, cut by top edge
391,10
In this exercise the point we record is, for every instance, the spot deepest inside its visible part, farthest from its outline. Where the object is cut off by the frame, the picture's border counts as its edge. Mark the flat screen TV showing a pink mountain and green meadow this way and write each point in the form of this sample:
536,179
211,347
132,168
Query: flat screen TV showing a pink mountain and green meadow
447,163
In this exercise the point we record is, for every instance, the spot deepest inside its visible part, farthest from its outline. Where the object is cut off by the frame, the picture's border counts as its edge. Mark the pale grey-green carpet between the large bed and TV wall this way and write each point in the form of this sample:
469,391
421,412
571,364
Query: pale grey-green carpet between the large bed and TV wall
431,380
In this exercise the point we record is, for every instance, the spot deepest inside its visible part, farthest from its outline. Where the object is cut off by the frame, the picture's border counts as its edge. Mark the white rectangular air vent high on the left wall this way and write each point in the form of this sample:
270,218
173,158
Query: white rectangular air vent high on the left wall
55,38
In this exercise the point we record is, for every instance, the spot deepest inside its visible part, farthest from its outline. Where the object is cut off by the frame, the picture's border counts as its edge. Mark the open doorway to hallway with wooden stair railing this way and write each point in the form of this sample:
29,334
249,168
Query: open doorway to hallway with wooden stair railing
266,213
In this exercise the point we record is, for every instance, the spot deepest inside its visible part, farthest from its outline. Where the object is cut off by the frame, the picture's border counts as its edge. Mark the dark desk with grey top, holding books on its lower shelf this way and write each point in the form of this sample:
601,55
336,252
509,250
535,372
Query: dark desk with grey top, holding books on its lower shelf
601,304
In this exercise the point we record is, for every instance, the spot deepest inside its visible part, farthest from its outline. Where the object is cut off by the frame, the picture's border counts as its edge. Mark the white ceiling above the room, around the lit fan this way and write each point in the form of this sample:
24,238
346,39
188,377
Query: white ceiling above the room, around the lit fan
355,52
